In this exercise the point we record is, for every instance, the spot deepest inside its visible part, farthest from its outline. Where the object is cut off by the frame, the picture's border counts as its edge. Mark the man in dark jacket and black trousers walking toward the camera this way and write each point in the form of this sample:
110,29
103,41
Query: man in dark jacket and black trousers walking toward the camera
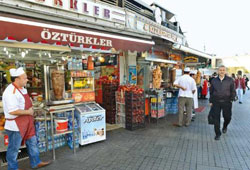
222,94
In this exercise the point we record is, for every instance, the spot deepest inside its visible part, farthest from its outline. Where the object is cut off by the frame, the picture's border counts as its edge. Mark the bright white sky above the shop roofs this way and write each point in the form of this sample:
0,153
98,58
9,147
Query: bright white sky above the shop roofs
221,26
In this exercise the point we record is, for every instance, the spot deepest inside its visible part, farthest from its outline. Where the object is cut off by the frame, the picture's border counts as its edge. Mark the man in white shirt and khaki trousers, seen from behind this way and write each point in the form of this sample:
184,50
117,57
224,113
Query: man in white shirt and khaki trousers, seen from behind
187,87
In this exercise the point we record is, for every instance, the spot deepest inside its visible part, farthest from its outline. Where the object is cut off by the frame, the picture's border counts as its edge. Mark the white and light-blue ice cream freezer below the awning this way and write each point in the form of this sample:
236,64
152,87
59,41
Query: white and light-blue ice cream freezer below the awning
91,121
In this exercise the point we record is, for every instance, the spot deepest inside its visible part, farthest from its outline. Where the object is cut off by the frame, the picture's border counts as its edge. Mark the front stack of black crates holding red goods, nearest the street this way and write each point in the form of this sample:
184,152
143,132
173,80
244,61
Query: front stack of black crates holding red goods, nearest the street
134,110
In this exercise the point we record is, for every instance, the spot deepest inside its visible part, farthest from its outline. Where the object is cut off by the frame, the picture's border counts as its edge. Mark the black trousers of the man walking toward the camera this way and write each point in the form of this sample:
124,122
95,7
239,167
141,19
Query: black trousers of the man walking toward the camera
226,108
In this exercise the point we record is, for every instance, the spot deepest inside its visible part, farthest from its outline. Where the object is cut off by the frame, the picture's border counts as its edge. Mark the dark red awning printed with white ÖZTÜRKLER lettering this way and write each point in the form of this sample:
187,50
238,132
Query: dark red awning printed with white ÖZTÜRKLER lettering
13,29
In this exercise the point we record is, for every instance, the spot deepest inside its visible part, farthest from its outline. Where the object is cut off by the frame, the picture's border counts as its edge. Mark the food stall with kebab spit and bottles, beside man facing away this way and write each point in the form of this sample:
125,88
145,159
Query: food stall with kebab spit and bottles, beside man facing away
157,72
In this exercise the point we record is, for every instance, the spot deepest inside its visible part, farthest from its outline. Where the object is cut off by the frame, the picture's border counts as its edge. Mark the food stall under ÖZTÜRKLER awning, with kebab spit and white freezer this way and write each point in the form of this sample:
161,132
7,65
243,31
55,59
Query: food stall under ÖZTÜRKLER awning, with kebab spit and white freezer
62,88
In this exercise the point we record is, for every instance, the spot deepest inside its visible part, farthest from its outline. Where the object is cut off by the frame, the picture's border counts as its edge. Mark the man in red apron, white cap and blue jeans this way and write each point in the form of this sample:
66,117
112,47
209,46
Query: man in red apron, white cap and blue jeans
19,124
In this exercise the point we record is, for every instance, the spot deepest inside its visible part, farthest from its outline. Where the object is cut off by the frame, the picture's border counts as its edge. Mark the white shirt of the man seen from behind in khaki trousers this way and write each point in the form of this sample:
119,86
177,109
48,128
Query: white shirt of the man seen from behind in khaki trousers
187,82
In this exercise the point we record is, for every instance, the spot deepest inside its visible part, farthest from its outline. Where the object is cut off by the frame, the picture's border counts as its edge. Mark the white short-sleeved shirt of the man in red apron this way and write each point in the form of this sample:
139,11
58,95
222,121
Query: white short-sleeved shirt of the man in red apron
12,100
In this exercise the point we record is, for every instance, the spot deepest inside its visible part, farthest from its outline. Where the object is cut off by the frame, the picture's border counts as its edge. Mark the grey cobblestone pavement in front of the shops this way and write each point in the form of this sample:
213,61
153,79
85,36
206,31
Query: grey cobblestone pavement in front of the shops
162,146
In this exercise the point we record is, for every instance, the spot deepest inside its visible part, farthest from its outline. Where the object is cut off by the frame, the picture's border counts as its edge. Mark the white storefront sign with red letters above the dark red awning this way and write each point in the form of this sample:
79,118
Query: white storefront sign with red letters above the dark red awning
87,7
